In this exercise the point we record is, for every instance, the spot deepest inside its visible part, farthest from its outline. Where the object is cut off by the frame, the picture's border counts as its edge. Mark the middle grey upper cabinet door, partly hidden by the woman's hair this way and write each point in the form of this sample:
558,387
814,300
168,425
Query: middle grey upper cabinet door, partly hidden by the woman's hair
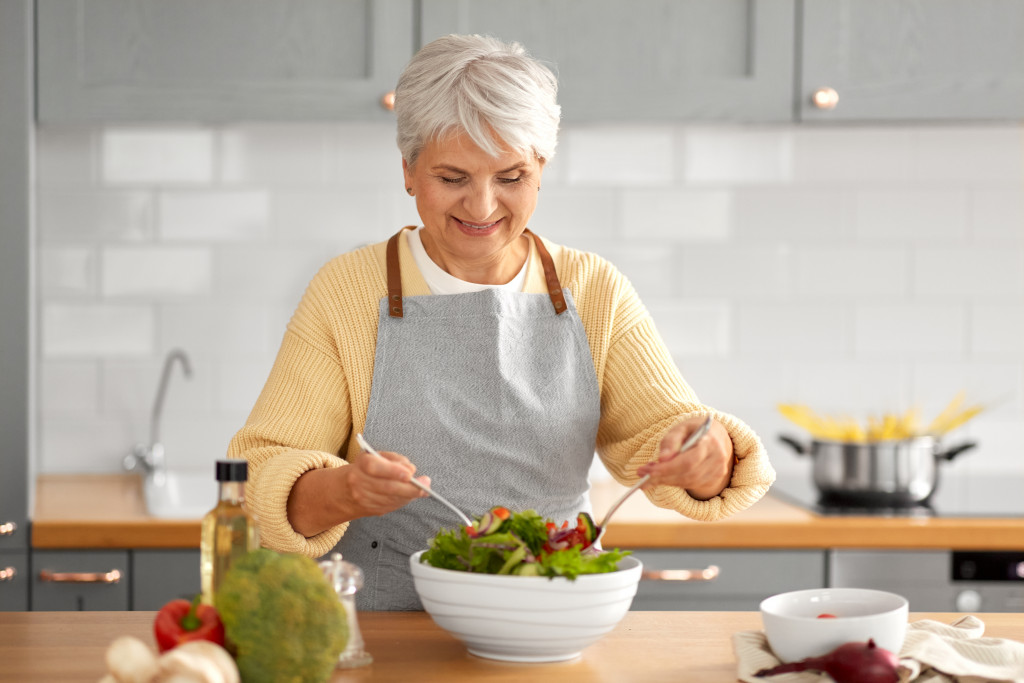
652,61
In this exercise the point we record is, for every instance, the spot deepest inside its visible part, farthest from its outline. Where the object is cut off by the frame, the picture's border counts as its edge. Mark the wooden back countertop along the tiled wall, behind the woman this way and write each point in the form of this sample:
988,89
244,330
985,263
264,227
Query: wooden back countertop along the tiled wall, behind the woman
108,511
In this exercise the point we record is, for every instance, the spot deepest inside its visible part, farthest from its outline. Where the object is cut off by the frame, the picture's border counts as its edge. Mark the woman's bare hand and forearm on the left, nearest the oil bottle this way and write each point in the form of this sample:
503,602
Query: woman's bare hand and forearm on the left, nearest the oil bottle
369,487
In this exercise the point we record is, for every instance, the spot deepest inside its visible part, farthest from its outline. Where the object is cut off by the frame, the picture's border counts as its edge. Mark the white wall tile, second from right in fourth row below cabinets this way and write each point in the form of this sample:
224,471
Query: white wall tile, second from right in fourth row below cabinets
911,331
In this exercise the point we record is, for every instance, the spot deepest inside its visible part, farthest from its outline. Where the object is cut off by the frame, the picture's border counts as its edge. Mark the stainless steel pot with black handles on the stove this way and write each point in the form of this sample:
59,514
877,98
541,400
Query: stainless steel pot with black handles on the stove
883,475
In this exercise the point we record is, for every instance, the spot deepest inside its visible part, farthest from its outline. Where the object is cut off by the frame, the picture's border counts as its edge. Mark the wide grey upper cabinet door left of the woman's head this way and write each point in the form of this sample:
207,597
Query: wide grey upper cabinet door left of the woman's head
216,61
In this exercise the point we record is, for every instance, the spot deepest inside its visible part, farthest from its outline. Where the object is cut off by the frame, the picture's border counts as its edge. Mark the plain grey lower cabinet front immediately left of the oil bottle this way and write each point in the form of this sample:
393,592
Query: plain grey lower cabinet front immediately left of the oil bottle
161,576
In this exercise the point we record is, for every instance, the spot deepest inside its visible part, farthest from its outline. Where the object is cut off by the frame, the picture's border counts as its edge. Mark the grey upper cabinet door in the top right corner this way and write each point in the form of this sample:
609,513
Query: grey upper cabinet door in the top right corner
914,60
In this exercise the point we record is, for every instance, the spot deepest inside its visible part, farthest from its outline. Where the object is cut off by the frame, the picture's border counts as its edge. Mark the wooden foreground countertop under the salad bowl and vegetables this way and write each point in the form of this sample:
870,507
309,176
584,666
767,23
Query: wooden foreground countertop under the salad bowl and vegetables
654,648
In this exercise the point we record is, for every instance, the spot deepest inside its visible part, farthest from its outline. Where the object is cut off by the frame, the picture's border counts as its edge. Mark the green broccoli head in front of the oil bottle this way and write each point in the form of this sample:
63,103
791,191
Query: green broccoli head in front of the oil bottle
283,619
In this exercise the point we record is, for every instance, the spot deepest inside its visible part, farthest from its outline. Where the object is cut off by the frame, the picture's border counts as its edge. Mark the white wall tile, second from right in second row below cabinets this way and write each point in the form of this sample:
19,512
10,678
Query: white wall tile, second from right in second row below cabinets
920,217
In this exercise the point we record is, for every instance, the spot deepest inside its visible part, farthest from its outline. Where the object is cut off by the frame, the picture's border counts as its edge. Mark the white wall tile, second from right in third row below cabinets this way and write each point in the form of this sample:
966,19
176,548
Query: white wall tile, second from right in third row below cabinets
852,273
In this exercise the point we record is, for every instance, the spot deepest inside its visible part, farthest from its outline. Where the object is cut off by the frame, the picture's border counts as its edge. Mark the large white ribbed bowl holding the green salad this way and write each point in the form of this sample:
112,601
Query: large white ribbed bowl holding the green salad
527,619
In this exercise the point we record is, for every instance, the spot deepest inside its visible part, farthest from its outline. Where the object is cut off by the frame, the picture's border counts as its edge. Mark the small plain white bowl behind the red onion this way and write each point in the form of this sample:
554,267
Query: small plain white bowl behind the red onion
796,632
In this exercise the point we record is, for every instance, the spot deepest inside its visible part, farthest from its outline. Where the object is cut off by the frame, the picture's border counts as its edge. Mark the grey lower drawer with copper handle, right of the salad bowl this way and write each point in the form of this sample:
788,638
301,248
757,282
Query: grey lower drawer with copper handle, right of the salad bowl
745,578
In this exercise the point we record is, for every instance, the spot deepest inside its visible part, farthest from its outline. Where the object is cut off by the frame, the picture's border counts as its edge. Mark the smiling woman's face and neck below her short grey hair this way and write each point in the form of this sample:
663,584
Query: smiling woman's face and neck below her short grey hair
475,207
